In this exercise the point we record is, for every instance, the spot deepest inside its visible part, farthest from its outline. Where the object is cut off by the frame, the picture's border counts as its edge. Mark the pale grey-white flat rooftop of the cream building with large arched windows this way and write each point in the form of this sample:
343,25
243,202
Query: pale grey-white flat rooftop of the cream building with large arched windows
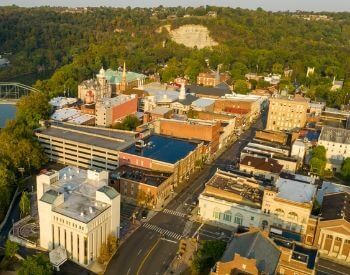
294,190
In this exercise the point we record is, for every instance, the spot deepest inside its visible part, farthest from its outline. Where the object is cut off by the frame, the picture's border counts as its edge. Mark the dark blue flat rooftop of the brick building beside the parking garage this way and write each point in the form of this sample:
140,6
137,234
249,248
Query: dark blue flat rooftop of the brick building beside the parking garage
163,148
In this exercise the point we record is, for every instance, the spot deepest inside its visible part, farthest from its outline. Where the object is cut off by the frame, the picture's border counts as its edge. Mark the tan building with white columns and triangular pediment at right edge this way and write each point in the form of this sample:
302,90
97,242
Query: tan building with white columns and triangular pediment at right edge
333,229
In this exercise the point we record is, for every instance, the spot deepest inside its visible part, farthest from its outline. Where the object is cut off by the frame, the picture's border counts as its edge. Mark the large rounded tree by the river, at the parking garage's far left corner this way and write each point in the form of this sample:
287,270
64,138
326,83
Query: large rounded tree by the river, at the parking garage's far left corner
32,108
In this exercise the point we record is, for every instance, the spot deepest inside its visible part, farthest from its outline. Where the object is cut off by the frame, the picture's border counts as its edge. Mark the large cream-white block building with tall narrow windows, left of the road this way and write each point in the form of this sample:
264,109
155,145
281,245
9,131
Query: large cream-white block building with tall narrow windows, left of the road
77,211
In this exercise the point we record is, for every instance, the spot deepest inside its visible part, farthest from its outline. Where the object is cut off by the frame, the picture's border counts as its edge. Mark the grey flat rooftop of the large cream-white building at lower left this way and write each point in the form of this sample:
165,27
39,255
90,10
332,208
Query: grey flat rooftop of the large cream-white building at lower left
79,189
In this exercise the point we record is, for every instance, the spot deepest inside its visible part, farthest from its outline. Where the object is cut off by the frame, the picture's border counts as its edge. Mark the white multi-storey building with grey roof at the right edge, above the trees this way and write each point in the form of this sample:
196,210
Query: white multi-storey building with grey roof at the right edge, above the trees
337,143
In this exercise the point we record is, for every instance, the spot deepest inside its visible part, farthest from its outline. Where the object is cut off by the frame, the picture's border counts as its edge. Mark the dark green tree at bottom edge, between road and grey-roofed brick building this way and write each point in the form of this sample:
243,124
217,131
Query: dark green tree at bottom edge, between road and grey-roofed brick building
207,255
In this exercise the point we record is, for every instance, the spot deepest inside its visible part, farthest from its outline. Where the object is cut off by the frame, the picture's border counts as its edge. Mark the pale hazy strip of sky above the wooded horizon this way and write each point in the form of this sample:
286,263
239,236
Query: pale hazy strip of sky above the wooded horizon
275,5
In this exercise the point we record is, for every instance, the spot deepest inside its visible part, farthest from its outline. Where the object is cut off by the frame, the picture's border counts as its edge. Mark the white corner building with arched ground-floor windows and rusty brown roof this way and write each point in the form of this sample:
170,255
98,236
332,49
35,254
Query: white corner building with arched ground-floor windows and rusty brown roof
230,200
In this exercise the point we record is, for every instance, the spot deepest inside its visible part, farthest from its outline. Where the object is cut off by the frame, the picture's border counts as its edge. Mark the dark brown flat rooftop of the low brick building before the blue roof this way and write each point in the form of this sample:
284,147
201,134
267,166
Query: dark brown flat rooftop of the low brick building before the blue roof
145,176
